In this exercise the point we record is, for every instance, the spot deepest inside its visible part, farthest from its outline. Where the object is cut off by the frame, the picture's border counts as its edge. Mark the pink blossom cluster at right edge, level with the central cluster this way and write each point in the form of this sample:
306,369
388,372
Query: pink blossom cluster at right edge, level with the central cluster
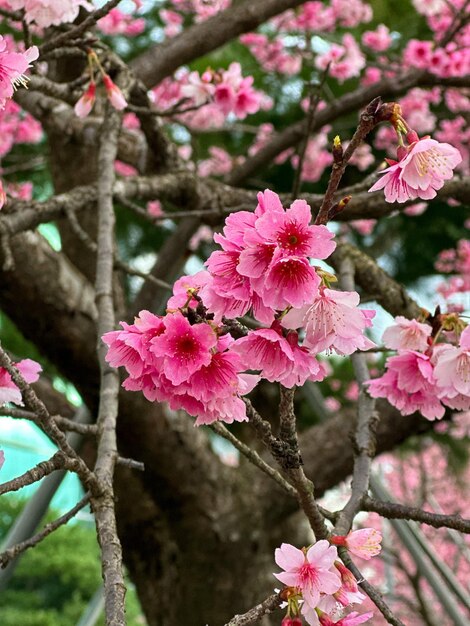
424,376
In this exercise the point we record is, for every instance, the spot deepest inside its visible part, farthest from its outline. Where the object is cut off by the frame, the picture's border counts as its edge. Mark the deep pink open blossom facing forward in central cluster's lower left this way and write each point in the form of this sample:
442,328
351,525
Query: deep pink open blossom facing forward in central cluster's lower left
183,348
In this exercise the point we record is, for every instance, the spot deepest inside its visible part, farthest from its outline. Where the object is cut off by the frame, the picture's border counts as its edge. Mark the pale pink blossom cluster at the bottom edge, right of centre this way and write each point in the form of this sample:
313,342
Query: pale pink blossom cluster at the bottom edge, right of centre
317,578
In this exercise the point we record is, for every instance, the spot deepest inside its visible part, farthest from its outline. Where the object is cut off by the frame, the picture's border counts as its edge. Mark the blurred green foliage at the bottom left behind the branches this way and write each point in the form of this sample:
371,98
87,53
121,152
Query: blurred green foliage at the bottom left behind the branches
54,581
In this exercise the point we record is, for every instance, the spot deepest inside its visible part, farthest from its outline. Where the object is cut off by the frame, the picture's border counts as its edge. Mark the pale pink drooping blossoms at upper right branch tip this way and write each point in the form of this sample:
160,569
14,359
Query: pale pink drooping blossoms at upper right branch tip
421,169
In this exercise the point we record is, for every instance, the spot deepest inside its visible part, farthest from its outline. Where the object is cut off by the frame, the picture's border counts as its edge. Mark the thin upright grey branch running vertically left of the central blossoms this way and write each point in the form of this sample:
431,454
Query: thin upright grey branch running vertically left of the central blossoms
103,505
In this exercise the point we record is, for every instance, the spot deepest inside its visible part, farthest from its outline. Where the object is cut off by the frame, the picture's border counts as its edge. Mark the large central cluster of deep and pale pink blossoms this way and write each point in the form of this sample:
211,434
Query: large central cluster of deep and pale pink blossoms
196,360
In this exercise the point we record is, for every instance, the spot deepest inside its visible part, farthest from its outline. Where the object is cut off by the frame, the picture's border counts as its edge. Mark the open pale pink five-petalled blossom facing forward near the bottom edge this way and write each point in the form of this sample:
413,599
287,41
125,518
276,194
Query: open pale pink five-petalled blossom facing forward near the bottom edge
309,570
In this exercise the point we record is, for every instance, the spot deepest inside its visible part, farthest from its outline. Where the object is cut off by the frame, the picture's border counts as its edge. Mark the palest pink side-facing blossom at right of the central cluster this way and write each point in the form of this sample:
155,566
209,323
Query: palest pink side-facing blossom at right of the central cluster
332,321
